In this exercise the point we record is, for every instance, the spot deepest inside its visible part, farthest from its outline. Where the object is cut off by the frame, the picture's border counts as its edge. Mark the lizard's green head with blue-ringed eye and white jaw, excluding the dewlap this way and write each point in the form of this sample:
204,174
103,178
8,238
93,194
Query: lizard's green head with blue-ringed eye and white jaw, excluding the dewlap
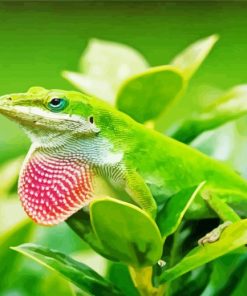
50,116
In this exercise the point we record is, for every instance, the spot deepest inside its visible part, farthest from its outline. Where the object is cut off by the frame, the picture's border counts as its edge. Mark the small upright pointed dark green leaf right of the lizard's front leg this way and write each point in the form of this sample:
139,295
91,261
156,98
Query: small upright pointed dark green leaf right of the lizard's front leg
172,214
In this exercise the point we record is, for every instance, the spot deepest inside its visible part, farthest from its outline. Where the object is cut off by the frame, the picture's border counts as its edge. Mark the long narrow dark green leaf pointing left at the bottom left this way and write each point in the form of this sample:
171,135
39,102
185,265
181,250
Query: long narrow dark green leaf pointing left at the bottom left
78,273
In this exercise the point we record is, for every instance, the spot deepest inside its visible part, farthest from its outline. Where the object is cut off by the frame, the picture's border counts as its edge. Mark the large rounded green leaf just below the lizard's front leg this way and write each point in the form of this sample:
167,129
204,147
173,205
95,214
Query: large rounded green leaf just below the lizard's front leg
126,231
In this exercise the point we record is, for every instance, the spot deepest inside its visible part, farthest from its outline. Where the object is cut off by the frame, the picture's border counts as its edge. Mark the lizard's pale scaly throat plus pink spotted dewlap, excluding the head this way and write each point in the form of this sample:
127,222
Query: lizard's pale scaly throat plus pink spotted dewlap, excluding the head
57,182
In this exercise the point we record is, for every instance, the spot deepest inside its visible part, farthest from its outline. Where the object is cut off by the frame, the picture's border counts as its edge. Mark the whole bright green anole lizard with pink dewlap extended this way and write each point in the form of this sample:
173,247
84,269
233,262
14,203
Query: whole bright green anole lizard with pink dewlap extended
82,148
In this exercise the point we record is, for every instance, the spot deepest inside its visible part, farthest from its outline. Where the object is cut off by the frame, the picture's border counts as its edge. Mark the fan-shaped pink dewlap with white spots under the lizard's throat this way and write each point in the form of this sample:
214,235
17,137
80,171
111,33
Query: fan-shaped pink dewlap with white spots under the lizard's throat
52,189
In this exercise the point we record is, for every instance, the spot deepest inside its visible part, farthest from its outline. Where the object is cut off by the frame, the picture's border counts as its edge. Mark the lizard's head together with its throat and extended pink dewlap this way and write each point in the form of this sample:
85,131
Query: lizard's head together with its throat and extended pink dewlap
54,182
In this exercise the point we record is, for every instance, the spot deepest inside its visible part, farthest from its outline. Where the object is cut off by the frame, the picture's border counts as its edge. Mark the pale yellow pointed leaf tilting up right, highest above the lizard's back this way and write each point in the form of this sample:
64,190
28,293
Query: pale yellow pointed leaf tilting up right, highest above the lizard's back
189,60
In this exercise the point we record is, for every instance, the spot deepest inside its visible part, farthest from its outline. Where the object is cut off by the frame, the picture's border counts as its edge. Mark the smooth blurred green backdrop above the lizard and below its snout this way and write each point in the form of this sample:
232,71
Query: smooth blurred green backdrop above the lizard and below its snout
40,39
